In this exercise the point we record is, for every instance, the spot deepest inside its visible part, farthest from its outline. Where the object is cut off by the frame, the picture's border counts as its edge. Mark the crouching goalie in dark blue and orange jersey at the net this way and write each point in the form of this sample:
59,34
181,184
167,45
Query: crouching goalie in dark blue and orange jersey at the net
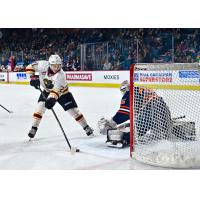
153,120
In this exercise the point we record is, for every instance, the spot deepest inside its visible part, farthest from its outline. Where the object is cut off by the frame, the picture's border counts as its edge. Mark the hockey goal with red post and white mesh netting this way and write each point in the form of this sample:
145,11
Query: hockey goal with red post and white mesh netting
164,114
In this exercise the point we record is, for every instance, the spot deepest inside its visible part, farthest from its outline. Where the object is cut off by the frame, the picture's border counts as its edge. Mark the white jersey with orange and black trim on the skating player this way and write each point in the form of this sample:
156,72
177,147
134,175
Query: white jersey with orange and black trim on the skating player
58,79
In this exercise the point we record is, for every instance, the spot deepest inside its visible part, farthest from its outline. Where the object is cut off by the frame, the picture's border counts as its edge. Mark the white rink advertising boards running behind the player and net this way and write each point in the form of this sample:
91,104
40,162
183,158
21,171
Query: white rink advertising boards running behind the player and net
114,78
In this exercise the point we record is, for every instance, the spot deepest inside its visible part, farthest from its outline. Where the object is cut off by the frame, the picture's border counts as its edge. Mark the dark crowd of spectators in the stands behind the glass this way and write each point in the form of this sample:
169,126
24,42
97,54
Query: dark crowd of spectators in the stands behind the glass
98,49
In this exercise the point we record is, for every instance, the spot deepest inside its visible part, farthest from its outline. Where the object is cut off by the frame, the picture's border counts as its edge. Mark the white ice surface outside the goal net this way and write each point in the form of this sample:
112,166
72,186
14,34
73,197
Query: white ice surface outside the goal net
49,149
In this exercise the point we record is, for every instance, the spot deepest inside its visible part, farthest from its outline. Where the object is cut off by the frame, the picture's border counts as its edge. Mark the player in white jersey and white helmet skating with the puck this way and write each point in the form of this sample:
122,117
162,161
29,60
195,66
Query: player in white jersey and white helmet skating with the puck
52,78
